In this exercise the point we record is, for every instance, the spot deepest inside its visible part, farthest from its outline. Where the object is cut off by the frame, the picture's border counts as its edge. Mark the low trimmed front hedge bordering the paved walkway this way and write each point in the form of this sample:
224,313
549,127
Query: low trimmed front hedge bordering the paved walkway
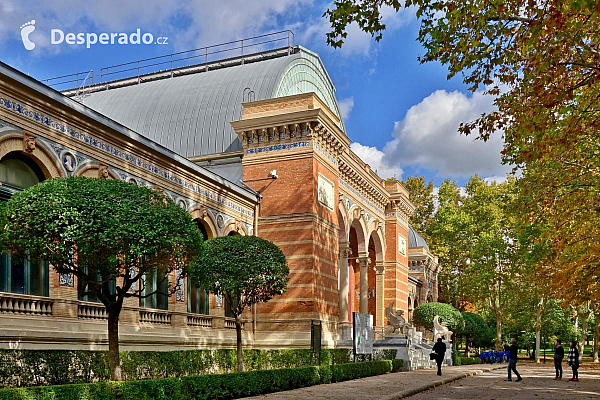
228,386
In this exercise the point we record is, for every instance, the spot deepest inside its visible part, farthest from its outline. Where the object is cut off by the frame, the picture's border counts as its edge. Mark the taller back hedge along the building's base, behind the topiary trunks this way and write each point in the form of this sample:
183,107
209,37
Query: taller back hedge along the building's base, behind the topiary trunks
24,368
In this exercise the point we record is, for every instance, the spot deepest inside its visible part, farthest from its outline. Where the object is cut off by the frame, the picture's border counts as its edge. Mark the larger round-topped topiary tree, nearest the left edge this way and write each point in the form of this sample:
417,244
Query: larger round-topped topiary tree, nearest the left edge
107,233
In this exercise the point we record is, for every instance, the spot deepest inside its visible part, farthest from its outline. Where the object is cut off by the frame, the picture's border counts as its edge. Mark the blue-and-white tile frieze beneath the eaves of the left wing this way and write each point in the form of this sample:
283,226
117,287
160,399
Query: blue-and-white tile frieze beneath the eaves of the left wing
117,152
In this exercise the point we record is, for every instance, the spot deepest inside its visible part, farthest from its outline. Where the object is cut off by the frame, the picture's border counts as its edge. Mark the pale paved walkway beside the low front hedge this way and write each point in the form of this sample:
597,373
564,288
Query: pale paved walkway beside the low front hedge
390,386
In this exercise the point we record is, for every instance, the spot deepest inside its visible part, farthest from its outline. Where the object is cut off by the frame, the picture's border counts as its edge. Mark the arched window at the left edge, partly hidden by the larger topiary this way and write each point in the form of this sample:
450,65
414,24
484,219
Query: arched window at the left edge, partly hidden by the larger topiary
21,273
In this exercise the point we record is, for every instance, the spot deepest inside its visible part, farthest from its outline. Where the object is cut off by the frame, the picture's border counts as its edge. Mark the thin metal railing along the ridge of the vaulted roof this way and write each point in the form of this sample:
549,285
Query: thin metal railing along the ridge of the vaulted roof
202,56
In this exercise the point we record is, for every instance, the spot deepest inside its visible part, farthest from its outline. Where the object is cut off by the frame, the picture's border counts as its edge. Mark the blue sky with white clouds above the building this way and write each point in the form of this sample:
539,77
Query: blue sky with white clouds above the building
401,115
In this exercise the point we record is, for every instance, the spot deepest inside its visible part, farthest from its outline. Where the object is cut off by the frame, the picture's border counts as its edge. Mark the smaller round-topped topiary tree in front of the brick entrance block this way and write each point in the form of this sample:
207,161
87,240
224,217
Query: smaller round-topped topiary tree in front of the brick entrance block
245,270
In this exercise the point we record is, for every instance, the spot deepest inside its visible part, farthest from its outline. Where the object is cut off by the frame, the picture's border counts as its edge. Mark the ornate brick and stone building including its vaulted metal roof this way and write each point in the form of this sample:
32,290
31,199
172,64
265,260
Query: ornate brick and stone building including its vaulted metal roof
253,145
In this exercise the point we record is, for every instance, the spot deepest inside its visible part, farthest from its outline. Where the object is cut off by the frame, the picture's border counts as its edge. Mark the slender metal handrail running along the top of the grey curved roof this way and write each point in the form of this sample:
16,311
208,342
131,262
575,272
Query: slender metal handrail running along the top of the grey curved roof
241,45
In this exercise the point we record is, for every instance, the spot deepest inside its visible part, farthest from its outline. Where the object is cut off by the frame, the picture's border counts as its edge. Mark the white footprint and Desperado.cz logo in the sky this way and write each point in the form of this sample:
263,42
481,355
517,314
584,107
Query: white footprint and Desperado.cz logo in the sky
57,36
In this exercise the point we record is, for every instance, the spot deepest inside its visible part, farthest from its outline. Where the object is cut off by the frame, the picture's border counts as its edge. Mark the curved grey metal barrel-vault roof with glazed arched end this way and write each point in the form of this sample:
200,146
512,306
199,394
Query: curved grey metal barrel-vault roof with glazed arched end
189,111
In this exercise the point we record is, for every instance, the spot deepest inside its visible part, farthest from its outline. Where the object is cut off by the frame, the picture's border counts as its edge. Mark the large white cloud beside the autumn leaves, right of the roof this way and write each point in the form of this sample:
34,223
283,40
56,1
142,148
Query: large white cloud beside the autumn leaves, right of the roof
427,137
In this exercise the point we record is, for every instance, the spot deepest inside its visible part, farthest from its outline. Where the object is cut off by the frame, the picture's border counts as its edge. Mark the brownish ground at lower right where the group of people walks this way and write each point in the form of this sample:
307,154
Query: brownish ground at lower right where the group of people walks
538,383
